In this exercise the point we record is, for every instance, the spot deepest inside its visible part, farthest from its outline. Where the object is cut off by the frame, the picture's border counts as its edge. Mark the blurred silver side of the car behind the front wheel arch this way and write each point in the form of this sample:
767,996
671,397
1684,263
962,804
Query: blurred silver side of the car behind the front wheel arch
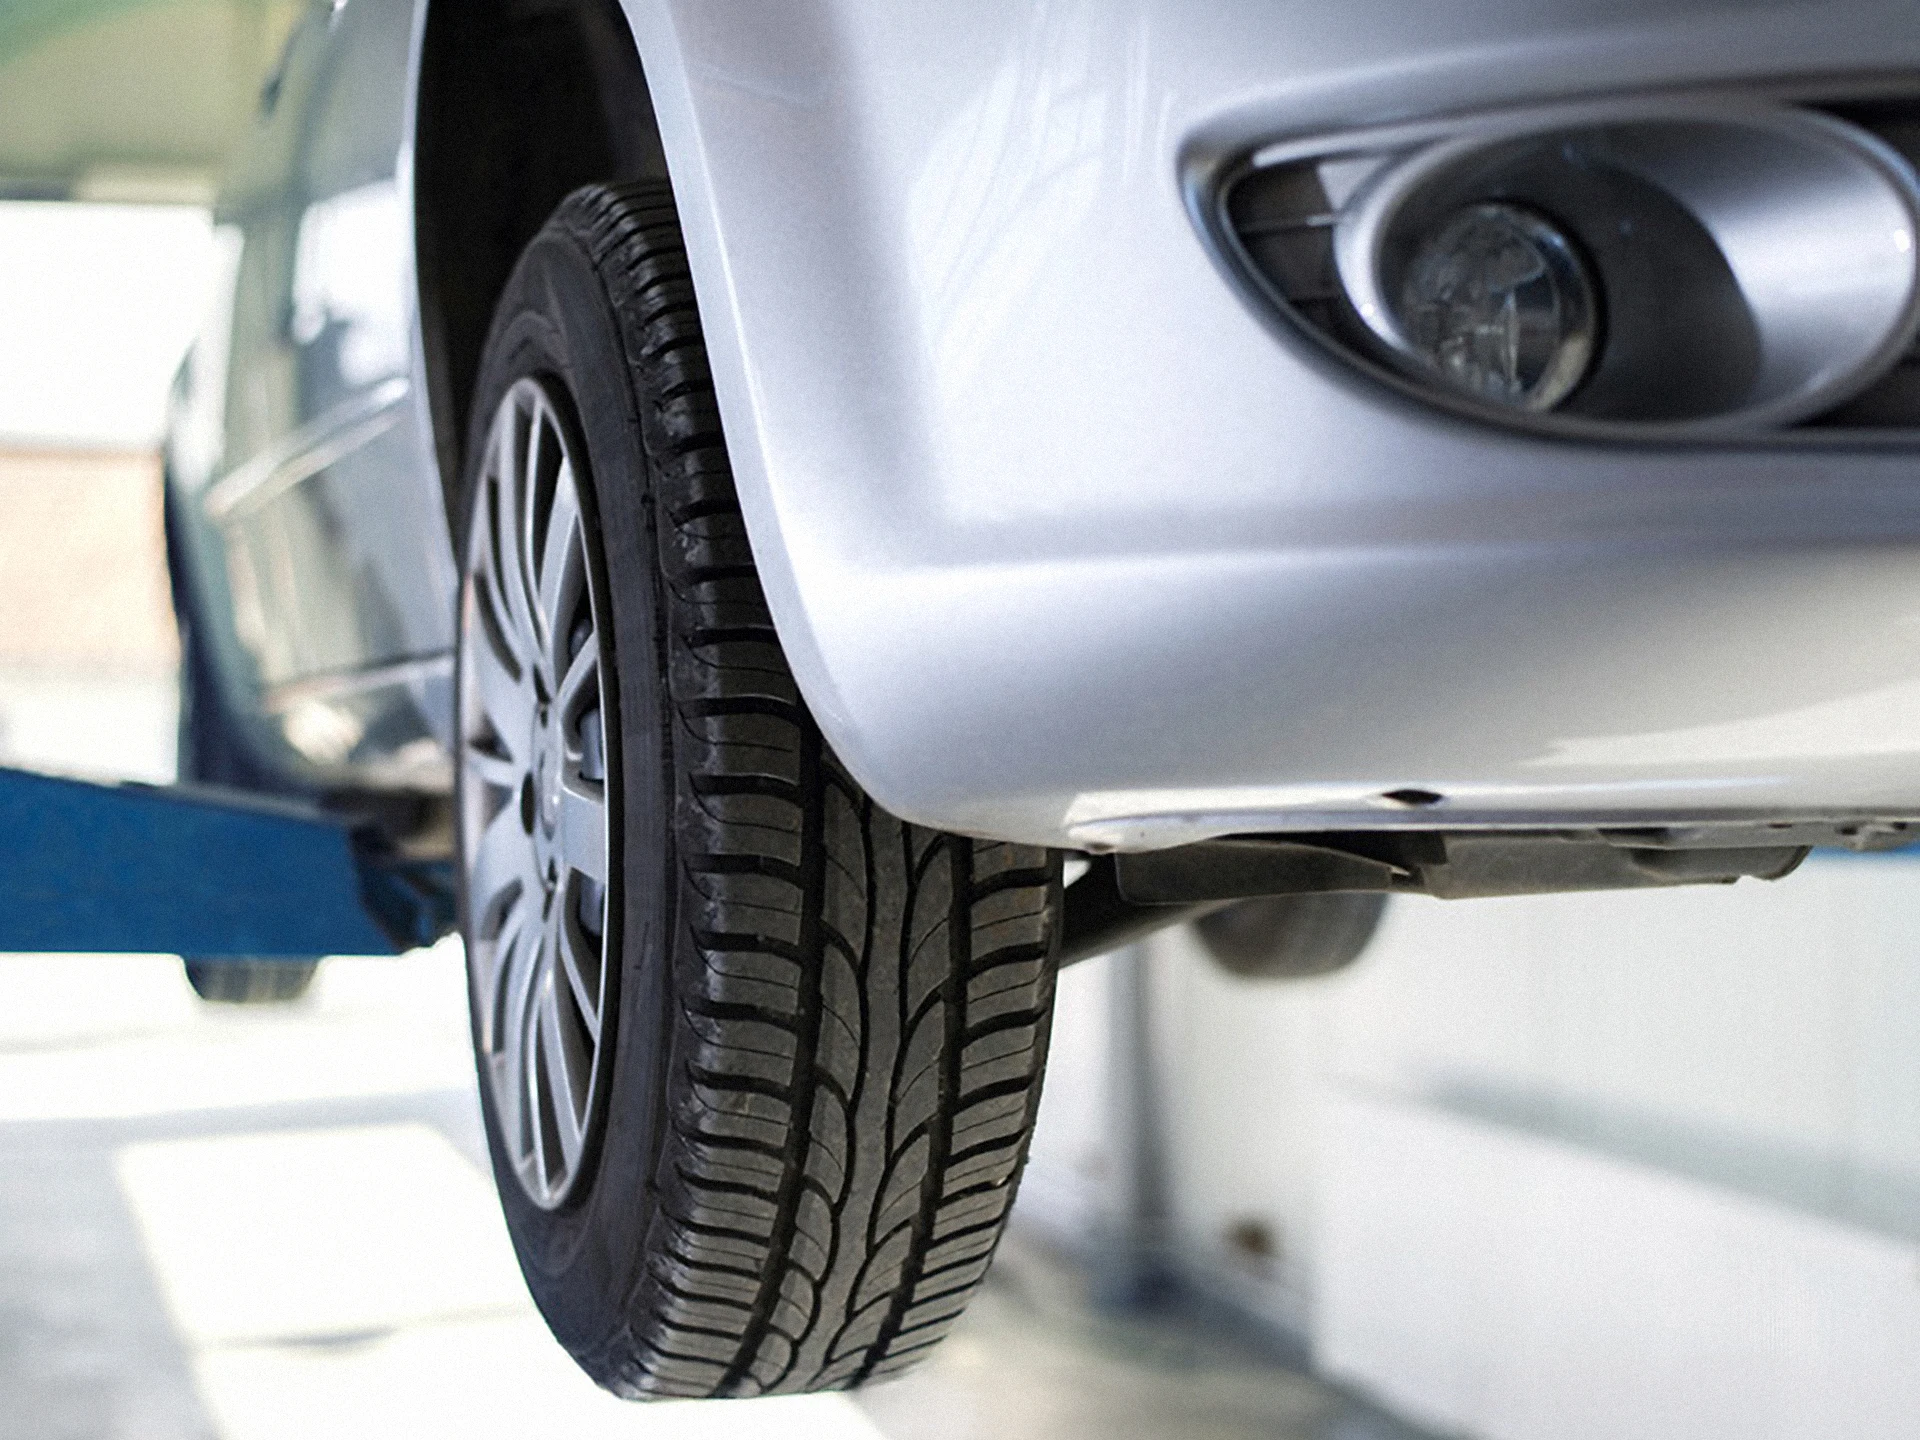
300,469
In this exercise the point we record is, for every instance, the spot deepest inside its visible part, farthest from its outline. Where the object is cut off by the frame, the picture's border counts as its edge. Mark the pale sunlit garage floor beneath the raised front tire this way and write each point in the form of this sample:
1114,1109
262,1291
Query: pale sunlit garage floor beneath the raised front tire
274,1226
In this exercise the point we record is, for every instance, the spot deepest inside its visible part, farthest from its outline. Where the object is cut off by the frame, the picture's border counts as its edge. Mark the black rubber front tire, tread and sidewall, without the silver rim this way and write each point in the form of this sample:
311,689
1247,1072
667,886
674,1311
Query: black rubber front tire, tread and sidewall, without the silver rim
828,1026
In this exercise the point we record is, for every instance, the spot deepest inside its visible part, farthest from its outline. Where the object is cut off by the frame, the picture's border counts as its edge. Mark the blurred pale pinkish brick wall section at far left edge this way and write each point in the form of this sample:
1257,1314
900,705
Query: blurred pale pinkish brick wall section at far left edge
84,569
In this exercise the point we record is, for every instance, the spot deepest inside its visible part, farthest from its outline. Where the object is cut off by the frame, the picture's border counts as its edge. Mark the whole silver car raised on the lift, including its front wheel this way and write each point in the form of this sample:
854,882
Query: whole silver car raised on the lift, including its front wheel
775,491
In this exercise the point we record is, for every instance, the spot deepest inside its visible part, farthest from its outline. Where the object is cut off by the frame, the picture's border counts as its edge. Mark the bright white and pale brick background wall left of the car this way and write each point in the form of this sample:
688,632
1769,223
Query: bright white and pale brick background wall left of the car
97,308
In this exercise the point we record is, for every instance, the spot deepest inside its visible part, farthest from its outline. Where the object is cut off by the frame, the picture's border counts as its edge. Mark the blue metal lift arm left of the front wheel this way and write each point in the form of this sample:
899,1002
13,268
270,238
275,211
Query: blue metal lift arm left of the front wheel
93,869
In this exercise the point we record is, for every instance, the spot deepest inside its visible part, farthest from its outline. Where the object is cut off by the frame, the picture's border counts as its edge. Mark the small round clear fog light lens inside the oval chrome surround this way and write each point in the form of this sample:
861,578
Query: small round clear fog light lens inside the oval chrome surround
1500,306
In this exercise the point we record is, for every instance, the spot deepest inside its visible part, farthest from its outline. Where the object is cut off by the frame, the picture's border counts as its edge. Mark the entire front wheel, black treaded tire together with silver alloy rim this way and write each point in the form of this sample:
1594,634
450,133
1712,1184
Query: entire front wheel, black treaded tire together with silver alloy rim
759,1061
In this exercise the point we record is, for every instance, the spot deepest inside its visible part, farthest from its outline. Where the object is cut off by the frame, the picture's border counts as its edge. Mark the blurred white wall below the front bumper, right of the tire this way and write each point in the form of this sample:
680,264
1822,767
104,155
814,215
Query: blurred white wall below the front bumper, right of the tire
1575,1166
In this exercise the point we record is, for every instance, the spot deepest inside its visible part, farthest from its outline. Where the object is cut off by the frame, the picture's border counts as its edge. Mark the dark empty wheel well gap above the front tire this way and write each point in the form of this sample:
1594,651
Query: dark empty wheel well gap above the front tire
521,105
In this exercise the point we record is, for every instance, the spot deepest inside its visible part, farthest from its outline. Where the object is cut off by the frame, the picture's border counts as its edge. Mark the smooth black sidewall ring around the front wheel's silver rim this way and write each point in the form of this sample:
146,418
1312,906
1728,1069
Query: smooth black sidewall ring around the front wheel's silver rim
556,322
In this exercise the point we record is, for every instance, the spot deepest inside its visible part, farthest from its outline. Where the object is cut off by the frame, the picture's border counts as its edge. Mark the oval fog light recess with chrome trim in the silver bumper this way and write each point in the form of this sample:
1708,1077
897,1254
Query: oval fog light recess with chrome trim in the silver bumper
1748,266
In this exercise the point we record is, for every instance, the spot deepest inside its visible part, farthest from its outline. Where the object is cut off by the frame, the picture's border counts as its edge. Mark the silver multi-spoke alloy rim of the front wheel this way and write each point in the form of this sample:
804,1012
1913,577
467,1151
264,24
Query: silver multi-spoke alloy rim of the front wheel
535,819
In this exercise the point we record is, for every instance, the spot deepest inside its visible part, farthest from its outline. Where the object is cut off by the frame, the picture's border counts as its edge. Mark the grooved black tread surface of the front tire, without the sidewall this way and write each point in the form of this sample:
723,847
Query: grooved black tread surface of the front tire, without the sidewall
863,1003
